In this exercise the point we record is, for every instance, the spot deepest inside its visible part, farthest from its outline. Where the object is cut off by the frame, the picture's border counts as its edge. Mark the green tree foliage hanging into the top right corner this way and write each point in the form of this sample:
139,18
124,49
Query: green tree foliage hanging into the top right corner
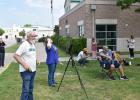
127,3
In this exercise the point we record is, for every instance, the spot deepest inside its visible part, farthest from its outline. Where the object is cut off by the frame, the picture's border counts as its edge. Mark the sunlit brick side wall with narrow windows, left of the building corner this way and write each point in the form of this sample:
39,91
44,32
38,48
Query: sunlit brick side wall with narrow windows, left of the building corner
81,14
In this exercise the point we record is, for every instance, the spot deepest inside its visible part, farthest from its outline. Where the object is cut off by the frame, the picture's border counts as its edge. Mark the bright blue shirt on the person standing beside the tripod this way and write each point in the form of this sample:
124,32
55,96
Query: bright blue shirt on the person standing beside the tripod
52,55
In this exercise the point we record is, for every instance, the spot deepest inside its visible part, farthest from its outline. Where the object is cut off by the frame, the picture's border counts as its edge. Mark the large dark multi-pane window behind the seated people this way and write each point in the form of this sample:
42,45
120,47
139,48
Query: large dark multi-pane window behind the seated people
106,35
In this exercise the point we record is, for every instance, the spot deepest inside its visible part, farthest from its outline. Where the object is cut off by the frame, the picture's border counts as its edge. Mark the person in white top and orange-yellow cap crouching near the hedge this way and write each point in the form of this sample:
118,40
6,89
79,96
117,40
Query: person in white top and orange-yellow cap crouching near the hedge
82,57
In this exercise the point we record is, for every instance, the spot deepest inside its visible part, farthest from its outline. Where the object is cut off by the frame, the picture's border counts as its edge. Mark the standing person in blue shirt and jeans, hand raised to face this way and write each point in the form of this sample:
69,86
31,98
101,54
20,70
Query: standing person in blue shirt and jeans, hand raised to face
51,60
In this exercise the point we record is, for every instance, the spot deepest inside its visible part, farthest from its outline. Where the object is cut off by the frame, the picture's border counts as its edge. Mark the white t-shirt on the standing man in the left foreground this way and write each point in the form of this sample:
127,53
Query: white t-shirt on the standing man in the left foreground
27,52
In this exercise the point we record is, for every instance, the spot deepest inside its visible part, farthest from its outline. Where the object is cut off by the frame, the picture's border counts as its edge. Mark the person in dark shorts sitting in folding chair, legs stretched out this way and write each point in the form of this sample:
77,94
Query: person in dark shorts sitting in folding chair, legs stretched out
109,62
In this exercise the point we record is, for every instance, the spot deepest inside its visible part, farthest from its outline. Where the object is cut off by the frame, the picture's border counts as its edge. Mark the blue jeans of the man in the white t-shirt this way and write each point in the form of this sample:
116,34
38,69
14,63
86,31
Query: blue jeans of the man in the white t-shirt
27,85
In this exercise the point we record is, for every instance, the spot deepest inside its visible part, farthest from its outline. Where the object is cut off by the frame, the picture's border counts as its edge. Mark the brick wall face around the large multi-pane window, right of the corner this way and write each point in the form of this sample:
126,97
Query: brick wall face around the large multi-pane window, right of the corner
128,16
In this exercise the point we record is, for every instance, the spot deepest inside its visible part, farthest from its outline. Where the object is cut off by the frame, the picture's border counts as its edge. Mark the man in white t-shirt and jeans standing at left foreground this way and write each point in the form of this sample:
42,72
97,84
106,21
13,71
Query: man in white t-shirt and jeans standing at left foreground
26,57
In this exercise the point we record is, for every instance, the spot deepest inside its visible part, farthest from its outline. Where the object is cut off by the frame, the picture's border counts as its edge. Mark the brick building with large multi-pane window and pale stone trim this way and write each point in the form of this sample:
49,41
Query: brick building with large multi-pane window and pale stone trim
103,20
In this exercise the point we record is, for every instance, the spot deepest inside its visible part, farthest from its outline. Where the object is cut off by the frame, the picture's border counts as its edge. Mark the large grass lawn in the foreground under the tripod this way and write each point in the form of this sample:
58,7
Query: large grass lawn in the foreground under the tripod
97,86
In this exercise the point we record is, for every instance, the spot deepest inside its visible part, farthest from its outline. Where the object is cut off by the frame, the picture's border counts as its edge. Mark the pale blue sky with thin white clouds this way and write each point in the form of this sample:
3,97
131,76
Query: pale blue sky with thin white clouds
35,12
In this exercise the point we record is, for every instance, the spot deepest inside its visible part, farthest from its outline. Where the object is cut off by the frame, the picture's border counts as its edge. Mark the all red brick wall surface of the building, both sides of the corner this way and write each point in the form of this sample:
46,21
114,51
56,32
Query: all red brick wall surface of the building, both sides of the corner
123,17
